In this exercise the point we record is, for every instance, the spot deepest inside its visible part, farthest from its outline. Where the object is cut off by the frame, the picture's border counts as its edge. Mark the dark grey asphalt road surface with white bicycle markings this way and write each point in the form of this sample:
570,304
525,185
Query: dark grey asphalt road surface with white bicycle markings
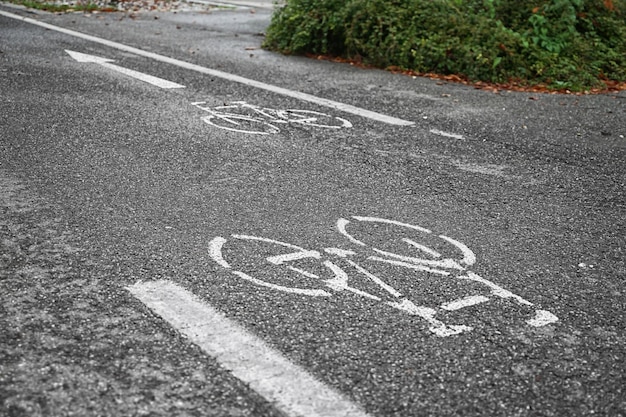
107,181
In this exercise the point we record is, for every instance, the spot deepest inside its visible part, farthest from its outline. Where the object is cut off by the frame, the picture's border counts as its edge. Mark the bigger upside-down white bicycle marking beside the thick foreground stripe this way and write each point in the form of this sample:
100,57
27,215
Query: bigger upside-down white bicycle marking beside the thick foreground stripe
449,268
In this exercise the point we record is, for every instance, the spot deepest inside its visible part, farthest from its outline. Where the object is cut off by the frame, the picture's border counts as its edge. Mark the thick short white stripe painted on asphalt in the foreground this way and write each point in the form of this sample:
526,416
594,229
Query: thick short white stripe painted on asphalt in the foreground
289,387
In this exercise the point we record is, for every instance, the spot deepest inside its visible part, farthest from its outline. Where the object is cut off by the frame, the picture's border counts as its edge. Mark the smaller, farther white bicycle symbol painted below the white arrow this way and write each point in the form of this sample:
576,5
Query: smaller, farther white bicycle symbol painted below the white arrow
242,117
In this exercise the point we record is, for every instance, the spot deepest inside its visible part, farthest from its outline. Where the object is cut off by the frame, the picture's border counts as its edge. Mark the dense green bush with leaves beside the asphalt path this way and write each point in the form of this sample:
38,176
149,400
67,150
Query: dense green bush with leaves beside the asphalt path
573,44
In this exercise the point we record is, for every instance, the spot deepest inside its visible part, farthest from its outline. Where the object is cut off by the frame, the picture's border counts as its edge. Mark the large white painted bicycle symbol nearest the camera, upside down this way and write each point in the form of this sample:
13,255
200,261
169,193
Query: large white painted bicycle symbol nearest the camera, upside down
428,260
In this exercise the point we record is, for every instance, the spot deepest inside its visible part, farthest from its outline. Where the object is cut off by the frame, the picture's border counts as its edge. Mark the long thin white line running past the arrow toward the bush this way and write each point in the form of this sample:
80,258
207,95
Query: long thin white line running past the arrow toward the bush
220,74
